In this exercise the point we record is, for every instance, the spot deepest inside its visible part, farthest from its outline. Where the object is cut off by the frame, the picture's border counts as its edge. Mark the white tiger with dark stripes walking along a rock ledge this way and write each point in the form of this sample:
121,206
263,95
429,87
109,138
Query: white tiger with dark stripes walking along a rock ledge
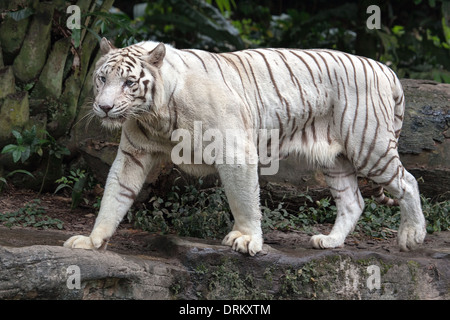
341,112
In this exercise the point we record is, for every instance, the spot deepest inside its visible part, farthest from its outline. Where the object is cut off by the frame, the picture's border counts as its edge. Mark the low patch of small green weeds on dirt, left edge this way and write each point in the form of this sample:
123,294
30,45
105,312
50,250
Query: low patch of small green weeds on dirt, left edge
32,215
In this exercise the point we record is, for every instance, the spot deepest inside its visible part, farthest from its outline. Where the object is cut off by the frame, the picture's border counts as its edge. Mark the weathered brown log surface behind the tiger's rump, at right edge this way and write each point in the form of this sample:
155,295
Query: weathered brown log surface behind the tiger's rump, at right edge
424,143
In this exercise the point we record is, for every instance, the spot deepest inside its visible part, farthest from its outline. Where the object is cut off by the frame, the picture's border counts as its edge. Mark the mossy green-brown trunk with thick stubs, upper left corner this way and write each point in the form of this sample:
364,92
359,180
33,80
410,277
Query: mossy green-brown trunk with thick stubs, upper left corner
42,75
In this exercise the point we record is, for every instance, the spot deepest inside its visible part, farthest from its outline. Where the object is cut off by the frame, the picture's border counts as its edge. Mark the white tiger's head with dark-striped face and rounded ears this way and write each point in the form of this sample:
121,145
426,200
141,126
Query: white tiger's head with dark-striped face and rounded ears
127,82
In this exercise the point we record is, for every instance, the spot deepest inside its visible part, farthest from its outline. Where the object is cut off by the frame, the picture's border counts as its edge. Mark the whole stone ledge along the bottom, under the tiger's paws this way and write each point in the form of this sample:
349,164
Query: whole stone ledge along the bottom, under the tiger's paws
148,266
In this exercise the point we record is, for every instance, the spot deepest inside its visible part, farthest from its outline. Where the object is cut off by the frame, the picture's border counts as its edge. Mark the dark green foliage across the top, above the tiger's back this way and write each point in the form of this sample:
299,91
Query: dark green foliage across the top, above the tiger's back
414,38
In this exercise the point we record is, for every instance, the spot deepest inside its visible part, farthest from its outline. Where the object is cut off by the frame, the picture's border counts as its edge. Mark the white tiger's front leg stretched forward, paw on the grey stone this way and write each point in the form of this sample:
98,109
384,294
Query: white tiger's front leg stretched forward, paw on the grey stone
125,180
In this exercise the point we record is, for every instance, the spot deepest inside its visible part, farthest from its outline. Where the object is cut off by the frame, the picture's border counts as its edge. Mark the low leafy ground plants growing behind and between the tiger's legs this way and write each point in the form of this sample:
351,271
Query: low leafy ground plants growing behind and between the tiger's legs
205,213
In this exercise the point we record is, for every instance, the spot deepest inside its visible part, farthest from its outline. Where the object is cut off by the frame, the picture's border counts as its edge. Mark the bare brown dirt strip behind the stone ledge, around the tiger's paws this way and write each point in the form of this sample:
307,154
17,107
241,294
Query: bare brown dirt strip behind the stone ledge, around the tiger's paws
130,240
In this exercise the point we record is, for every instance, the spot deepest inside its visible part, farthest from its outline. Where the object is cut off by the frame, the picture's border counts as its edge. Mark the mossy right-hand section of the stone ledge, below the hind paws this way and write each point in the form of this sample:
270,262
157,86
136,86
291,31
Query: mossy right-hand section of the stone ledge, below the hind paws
340,274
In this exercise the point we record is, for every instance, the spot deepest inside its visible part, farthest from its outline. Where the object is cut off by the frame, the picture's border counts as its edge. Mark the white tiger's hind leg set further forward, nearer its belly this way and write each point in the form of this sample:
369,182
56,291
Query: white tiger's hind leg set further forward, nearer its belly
342,180
